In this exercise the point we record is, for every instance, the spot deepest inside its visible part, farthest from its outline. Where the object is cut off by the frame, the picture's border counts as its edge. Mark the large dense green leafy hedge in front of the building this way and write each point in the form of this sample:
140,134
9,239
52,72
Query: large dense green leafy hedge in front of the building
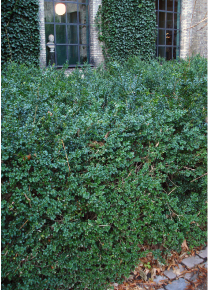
95,164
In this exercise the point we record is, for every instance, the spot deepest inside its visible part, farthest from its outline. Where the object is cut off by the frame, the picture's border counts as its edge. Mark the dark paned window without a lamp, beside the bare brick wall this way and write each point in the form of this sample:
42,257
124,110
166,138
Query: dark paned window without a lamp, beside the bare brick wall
168,23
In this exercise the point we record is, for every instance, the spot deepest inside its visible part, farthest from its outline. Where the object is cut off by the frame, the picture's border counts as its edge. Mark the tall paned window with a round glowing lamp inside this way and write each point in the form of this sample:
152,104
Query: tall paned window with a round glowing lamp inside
70,28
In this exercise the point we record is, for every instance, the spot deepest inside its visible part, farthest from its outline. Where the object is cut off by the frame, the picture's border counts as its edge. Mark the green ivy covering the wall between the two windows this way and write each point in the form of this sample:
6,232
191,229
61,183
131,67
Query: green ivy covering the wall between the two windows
127,28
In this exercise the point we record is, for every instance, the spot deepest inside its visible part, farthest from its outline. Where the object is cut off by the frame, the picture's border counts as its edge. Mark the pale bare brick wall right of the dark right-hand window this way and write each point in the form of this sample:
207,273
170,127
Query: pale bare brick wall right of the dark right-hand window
194,35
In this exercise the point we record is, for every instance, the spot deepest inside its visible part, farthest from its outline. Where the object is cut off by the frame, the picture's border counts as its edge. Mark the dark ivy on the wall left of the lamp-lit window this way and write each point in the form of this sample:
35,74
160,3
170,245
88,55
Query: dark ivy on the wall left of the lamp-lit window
20,31
